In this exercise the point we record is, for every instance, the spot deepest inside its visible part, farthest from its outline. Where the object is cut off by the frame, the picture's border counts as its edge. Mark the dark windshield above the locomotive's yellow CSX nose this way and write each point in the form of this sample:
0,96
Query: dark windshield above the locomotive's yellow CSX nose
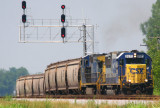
134,61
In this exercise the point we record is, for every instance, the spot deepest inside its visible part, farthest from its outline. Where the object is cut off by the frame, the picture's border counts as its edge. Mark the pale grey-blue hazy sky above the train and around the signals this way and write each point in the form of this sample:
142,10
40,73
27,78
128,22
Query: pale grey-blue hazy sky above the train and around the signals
118,29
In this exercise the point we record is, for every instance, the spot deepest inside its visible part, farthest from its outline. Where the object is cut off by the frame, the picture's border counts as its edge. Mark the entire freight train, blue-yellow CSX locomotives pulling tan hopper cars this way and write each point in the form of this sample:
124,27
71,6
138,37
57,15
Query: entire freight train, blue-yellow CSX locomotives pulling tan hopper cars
120,72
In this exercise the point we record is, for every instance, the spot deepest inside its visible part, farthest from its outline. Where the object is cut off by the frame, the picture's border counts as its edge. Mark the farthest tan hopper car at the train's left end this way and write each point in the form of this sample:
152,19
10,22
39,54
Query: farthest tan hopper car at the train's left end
30,85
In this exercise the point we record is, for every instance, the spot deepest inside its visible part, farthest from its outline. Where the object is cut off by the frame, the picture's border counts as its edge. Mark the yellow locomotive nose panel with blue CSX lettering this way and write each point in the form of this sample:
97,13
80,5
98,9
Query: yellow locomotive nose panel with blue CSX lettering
136,73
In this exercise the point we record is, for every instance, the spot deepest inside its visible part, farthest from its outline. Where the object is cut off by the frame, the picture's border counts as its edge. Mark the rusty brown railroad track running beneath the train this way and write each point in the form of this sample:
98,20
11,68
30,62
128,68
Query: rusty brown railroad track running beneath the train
111,97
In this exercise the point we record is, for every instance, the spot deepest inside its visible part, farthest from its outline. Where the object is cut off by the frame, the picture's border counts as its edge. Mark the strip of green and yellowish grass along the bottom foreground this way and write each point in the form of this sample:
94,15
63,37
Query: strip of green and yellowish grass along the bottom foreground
8,102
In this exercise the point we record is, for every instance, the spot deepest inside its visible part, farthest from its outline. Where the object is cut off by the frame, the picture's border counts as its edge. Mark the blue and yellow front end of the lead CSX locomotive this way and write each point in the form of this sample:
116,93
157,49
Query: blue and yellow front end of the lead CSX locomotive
134,71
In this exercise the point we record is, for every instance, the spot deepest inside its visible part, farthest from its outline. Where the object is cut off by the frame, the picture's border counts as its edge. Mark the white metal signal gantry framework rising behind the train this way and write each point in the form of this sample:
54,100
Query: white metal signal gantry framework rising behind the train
49,31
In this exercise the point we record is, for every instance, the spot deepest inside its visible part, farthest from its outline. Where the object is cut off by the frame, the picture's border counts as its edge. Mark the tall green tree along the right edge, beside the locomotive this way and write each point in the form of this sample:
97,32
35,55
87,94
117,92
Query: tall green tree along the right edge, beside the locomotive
151,30
